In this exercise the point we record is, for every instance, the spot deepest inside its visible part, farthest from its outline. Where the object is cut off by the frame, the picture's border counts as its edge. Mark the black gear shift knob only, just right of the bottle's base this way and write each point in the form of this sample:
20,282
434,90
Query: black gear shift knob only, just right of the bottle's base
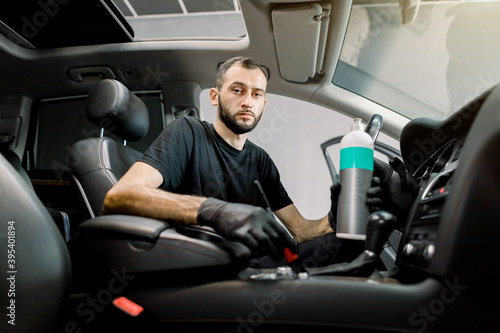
380,225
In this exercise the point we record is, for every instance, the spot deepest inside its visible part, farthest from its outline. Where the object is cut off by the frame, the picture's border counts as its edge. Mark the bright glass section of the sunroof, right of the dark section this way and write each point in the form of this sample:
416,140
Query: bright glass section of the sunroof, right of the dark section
183,19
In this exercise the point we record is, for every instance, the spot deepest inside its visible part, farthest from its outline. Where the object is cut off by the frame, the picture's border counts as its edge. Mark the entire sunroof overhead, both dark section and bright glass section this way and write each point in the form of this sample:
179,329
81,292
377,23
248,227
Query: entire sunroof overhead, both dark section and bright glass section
83,22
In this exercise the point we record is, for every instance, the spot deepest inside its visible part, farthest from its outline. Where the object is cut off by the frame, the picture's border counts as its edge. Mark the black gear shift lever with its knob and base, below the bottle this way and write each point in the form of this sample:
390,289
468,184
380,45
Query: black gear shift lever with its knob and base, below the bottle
380,225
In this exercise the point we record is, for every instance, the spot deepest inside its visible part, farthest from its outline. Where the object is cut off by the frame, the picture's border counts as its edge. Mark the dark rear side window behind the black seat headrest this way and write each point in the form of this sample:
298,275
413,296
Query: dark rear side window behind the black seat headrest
62,122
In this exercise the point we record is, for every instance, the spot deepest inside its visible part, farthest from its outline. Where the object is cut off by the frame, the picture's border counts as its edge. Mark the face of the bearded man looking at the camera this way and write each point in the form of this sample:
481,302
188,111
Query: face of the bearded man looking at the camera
241,101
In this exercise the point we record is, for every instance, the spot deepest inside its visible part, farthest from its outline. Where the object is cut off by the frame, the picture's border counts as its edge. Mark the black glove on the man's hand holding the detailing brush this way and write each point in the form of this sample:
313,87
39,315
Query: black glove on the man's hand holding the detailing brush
250,225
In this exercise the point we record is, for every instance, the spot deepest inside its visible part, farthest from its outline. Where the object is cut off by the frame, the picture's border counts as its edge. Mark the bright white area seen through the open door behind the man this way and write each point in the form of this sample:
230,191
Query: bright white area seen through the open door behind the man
292,132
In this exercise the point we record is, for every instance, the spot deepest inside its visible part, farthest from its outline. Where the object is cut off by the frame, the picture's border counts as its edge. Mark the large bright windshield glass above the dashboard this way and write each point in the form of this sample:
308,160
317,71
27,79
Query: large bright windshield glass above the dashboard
429,67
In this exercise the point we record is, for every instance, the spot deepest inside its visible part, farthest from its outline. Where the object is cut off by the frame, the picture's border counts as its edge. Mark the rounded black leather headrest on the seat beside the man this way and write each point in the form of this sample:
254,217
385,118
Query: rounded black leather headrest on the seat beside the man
110,105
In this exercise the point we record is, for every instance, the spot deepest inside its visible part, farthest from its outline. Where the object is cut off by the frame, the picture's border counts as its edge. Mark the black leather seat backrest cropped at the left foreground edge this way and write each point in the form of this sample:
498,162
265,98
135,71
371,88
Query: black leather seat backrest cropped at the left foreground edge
38,272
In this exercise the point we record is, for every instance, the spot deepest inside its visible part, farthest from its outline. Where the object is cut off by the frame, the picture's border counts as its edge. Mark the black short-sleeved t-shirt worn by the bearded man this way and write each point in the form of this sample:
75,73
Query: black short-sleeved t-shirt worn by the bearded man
194,159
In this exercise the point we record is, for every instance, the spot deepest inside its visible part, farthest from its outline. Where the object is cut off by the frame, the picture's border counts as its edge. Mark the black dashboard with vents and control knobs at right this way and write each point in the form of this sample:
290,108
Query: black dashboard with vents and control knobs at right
452,213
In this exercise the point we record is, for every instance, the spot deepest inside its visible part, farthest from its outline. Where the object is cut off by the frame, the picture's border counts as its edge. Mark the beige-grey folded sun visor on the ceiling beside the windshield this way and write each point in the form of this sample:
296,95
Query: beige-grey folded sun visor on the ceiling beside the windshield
300,34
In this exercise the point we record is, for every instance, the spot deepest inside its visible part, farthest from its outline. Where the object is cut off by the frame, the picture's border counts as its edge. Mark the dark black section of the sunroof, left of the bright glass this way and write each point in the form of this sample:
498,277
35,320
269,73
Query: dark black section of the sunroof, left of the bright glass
72,23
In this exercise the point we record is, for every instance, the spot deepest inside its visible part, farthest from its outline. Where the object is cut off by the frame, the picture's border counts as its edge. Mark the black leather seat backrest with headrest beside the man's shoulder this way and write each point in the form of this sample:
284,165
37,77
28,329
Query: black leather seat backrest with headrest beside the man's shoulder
98,163
